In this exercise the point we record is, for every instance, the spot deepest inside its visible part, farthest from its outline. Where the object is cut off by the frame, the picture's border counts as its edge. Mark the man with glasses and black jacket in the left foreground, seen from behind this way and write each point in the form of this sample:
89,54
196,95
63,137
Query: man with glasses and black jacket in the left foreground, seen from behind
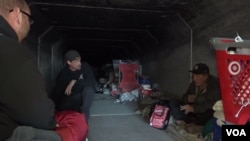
24,103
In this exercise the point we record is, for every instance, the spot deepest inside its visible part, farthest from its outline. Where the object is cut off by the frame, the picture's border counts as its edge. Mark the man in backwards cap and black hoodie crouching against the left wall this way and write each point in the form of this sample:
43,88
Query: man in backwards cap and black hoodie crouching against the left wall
75,85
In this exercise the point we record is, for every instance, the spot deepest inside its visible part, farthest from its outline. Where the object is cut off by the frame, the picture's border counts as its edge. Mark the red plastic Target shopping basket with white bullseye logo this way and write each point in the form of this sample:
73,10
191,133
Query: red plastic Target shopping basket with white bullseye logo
233,62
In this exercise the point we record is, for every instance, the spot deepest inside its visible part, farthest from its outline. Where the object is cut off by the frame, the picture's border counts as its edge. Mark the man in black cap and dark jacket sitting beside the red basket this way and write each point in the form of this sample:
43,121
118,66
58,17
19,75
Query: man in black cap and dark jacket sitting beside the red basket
195,108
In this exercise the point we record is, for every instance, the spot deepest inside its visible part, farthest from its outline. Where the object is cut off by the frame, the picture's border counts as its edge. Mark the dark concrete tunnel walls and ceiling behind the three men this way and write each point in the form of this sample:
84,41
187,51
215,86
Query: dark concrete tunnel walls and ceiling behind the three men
166,36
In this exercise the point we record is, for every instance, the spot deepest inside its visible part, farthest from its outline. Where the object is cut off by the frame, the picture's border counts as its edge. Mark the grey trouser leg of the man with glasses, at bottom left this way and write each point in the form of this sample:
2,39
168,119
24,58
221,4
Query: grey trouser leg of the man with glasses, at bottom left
27,133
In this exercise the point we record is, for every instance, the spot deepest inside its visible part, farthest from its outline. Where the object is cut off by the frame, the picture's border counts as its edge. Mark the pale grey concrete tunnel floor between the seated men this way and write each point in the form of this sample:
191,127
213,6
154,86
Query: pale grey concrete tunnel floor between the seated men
111,121
